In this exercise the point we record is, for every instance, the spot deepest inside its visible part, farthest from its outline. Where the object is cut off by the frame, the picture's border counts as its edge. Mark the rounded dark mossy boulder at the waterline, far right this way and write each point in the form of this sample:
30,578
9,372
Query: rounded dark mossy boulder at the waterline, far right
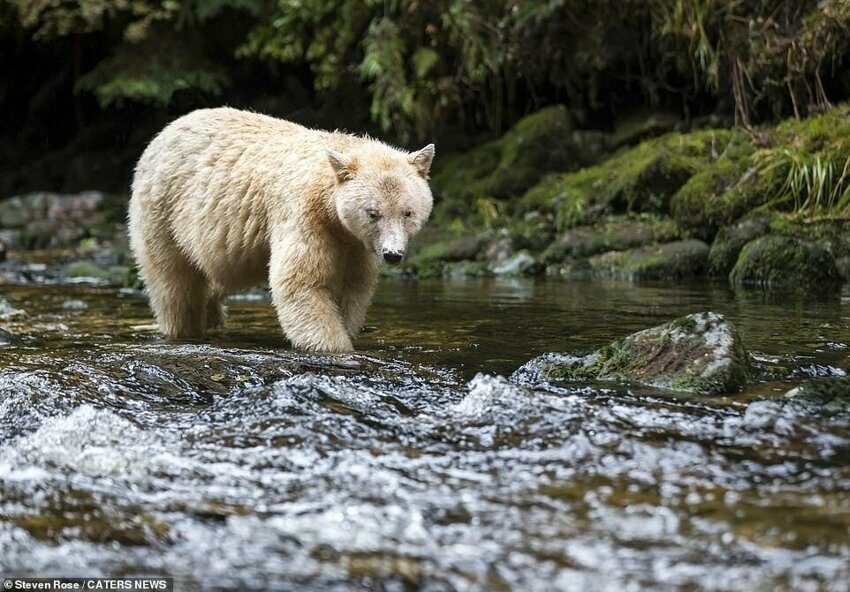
784,261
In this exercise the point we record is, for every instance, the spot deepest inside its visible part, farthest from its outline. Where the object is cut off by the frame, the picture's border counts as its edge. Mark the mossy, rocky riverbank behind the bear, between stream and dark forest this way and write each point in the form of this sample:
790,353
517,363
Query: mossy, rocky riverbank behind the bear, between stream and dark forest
767,208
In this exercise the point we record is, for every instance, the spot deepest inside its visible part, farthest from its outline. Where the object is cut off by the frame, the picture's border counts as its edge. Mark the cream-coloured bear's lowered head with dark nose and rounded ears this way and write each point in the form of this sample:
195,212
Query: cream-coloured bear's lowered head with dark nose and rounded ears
382,196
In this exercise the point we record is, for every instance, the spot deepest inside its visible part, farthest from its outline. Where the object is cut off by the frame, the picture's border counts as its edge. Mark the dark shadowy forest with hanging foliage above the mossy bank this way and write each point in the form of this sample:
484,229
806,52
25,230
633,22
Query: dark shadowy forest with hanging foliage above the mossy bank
84,84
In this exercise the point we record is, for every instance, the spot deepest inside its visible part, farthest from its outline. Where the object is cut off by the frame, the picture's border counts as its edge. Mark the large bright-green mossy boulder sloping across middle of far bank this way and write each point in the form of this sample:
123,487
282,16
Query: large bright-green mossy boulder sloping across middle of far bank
641,179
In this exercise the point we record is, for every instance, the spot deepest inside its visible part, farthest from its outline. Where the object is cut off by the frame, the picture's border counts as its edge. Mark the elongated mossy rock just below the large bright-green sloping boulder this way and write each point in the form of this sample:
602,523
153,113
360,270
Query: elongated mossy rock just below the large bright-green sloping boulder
615,233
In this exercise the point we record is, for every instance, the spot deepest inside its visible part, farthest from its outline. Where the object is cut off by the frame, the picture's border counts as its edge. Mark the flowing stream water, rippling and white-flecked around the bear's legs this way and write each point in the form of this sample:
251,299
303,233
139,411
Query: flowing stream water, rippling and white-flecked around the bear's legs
415,464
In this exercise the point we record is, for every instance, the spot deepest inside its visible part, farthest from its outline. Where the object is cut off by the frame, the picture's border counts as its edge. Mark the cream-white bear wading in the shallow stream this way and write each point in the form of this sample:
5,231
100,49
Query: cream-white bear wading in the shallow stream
223,199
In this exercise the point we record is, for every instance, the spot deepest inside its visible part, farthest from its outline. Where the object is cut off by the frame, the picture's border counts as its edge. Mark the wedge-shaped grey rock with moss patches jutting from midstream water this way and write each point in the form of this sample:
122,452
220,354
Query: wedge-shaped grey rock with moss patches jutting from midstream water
699,353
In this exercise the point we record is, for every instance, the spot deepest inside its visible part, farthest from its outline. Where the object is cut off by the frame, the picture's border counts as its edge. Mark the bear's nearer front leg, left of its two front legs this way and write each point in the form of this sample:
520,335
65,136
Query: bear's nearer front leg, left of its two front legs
306,309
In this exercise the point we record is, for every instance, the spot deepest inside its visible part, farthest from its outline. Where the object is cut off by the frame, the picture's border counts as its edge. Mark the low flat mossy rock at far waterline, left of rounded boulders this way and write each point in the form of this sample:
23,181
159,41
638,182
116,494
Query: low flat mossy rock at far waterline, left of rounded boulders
676,260
